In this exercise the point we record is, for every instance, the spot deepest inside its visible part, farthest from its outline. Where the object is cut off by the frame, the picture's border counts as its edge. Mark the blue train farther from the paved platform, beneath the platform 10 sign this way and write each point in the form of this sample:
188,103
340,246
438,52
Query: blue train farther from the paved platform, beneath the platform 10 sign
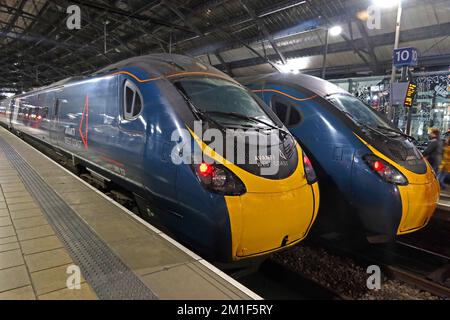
374,183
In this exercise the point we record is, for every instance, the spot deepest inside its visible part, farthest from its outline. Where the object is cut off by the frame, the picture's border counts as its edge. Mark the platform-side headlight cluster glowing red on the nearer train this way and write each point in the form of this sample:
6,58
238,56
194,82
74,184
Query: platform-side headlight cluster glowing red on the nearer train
217,178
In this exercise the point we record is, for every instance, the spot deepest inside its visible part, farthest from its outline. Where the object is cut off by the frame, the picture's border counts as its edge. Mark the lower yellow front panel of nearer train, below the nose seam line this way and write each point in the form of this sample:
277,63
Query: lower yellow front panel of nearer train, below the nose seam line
260,222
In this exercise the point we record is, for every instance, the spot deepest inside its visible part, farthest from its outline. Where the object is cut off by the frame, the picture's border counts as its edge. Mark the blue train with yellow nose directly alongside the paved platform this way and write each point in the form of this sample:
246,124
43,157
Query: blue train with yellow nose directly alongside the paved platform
117,126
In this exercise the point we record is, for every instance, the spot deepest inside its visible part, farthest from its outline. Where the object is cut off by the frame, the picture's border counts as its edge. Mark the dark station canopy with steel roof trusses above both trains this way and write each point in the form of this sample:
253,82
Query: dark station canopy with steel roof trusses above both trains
240,37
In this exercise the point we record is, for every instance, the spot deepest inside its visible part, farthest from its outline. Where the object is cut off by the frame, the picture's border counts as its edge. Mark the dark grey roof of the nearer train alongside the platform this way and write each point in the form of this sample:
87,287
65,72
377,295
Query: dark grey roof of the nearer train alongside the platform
156,65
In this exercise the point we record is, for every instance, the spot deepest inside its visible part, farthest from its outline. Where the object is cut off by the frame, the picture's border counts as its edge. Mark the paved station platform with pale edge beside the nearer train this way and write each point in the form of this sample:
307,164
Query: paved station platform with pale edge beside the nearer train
52,222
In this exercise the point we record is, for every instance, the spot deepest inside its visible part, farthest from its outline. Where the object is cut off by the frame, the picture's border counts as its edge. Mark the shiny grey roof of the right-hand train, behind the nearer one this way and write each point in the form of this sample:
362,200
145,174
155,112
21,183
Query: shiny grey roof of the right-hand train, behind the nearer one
319,86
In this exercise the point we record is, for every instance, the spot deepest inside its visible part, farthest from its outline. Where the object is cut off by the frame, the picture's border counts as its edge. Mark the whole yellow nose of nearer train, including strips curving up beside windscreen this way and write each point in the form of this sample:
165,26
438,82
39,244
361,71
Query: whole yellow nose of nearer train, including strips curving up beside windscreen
272,214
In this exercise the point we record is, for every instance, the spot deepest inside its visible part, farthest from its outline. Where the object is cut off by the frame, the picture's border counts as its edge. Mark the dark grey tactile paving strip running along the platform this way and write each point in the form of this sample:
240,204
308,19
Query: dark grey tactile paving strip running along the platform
108,276
